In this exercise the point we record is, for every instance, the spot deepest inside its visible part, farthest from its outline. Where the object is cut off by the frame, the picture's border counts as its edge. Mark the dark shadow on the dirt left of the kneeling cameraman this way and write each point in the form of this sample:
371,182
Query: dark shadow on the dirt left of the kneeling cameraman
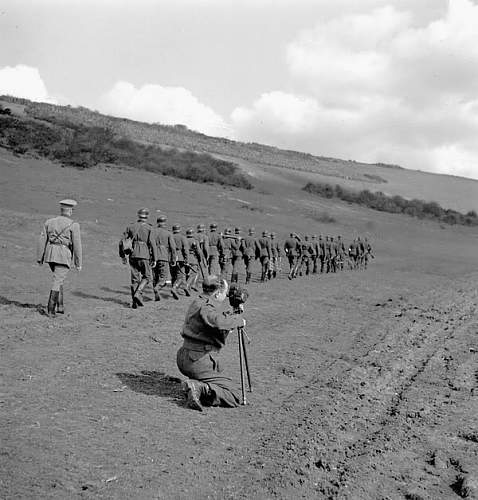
153,383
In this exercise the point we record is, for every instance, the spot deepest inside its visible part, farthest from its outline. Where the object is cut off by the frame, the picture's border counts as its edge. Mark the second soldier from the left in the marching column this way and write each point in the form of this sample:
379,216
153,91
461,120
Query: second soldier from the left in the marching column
166,256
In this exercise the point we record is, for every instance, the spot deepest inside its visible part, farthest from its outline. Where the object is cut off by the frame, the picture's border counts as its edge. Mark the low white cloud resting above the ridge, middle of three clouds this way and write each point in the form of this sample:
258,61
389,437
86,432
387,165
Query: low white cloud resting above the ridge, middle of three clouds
167,105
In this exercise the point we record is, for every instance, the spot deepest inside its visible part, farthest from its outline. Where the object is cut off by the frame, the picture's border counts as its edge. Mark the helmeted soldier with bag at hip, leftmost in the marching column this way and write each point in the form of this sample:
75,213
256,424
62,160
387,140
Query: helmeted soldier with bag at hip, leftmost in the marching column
139,245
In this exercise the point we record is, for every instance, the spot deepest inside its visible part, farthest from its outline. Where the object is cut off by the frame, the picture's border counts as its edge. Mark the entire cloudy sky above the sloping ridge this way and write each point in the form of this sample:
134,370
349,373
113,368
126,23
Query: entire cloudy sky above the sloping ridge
370,80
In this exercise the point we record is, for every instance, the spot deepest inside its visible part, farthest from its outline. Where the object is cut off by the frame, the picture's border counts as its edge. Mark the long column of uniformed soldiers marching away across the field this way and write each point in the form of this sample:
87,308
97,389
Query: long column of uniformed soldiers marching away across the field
171,258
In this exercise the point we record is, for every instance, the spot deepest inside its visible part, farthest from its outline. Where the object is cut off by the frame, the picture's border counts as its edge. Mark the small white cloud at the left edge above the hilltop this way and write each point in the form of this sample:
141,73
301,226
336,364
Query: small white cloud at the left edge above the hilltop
24,81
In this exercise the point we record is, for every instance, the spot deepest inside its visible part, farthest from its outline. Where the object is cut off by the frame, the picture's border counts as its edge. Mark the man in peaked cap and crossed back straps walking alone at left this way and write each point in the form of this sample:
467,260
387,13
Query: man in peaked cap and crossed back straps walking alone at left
59,245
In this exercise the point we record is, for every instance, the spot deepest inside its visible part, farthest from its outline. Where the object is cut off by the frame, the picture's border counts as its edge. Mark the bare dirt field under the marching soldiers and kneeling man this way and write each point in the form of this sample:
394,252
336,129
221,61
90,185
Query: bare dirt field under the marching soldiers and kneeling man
365,383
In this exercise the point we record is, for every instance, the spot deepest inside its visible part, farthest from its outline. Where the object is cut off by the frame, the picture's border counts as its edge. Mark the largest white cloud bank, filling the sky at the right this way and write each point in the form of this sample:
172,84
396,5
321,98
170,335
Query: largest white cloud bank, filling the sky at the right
379,86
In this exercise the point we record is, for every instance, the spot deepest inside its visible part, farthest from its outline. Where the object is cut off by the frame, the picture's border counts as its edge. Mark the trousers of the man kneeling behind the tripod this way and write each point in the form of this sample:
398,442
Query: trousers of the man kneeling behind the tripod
201,363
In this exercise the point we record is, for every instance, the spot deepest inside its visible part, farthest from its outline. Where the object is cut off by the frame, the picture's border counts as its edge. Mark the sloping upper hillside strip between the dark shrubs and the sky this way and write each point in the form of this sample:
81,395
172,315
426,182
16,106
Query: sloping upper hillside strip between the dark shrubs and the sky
276,166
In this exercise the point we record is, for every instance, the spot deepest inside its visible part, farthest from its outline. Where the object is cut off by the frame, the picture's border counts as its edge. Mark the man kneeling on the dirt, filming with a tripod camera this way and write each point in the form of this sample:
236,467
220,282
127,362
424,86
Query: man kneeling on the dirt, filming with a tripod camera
205,330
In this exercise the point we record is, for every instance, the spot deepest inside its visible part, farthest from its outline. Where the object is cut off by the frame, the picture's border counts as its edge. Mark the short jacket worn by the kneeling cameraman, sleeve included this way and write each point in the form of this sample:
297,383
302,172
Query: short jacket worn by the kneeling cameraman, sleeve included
207,324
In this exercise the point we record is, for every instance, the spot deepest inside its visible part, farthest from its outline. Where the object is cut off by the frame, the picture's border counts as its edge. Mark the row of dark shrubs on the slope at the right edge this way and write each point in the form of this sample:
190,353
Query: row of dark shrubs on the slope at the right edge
393,204
